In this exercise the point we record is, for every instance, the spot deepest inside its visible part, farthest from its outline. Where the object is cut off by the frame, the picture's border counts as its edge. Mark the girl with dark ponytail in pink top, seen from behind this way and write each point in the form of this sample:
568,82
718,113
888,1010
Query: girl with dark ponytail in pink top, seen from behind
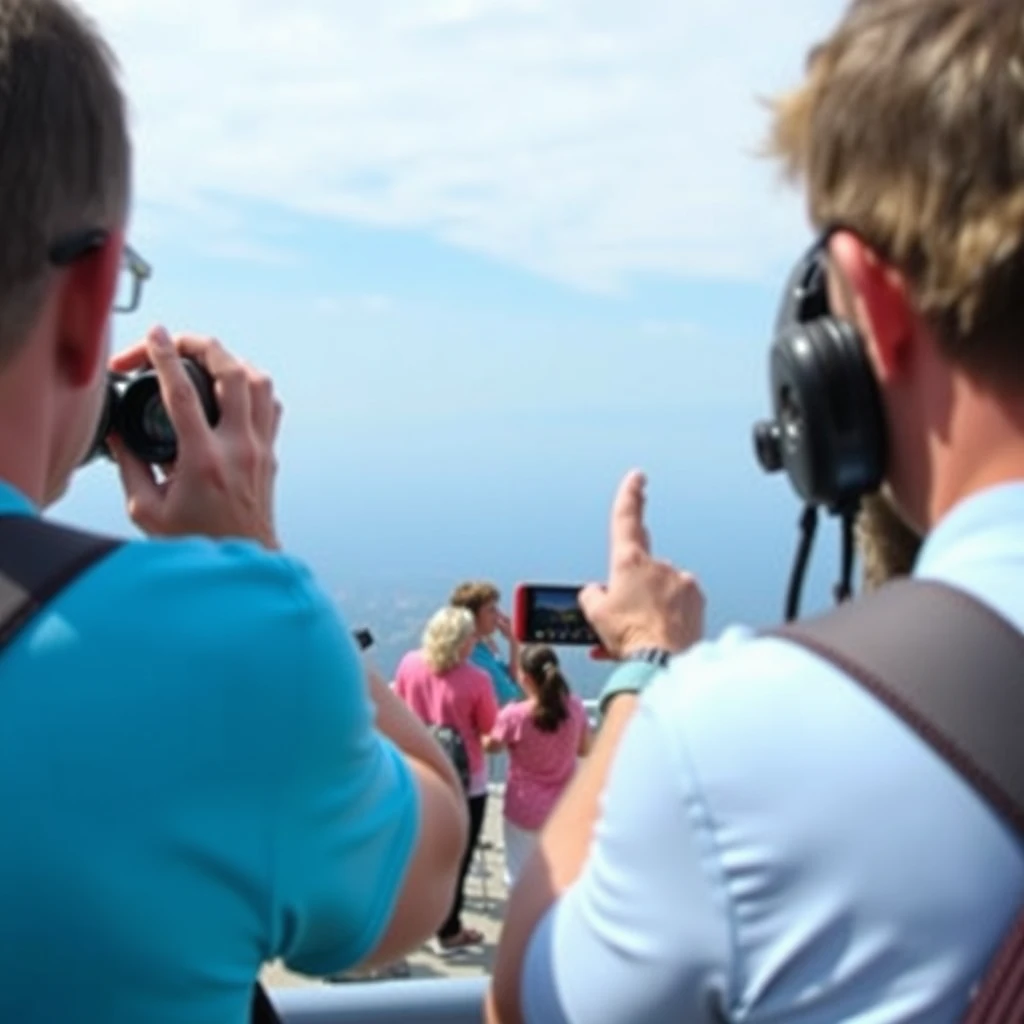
544,736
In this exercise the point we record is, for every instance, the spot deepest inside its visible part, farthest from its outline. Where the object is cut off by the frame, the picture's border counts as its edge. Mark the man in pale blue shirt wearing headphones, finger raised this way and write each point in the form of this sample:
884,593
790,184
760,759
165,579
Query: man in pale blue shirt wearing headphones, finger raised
755,836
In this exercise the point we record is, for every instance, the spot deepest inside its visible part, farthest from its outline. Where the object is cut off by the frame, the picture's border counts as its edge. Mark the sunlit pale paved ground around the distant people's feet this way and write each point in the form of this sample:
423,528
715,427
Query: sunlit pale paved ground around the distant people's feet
485,912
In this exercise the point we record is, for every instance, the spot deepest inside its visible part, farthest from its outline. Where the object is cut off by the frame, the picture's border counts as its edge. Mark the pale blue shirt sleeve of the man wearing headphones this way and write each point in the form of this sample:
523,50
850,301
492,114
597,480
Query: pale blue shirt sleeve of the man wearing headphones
644,934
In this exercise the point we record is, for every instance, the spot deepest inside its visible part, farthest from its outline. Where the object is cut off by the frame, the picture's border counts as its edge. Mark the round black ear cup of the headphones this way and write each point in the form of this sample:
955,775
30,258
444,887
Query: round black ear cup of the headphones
829,412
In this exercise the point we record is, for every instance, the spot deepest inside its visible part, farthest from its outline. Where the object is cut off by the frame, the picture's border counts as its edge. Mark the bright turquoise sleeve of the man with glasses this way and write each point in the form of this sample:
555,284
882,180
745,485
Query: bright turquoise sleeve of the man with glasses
348,808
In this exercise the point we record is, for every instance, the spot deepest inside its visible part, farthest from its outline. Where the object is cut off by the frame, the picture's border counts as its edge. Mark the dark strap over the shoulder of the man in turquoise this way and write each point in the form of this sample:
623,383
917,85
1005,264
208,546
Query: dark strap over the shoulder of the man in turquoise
37,561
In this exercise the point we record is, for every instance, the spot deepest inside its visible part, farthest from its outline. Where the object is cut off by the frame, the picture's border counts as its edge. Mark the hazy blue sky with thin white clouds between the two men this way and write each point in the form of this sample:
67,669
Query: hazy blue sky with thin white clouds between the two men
494,253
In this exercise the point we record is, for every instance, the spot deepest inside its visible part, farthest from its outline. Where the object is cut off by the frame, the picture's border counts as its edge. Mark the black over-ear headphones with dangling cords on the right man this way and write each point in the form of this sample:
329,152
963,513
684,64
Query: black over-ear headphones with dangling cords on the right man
829,431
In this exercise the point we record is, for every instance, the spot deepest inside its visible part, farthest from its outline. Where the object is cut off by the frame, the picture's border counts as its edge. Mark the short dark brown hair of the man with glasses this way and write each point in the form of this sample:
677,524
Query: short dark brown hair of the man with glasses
64,140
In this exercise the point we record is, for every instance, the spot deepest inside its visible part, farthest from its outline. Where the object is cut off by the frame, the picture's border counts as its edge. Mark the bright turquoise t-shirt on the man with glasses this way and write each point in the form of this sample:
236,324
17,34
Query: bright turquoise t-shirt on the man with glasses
191,785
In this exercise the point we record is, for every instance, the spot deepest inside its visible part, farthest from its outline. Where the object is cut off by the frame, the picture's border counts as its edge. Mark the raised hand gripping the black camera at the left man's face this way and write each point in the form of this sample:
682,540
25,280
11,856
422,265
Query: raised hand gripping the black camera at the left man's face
222,485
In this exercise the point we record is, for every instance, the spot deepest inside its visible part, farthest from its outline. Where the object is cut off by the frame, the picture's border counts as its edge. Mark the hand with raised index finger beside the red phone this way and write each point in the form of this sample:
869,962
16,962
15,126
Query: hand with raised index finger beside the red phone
647,603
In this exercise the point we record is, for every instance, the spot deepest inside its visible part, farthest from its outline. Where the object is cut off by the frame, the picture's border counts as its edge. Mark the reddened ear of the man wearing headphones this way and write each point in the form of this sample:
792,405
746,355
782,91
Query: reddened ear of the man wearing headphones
880,302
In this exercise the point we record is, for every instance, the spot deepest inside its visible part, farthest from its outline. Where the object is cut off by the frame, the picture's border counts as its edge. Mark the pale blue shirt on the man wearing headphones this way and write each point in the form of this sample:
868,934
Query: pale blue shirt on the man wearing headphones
776,846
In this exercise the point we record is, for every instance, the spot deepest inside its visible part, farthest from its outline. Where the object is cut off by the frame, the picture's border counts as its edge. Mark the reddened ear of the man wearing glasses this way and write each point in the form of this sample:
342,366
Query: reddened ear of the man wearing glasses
84,307
